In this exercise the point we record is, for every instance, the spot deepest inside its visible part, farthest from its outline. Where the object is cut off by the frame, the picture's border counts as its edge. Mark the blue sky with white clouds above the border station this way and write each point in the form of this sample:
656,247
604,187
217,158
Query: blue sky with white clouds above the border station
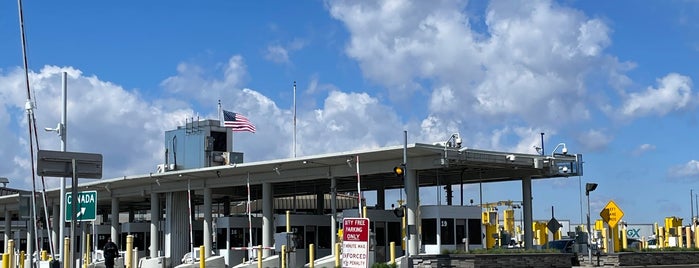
613,80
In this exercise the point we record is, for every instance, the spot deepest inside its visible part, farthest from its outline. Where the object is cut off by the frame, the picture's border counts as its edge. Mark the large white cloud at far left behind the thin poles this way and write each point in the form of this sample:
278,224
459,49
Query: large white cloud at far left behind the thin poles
102,118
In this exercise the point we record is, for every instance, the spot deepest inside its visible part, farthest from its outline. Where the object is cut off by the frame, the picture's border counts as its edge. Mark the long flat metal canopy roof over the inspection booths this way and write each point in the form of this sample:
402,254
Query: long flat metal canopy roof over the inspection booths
435,164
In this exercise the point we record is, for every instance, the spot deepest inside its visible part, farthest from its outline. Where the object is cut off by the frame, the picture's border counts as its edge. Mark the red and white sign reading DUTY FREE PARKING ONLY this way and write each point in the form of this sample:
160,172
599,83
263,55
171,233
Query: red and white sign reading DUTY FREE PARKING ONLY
355,242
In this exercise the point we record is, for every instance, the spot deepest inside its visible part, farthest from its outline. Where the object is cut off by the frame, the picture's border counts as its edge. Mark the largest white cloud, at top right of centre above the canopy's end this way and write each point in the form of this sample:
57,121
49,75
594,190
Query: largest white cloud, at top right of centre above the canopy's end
529,64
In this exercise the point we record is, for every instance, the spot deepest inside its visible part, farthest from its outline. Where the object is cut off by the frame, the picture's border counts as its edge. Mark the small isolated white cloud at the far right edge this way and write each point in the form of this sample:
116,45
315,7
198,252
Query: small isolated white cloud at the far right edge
674,93
